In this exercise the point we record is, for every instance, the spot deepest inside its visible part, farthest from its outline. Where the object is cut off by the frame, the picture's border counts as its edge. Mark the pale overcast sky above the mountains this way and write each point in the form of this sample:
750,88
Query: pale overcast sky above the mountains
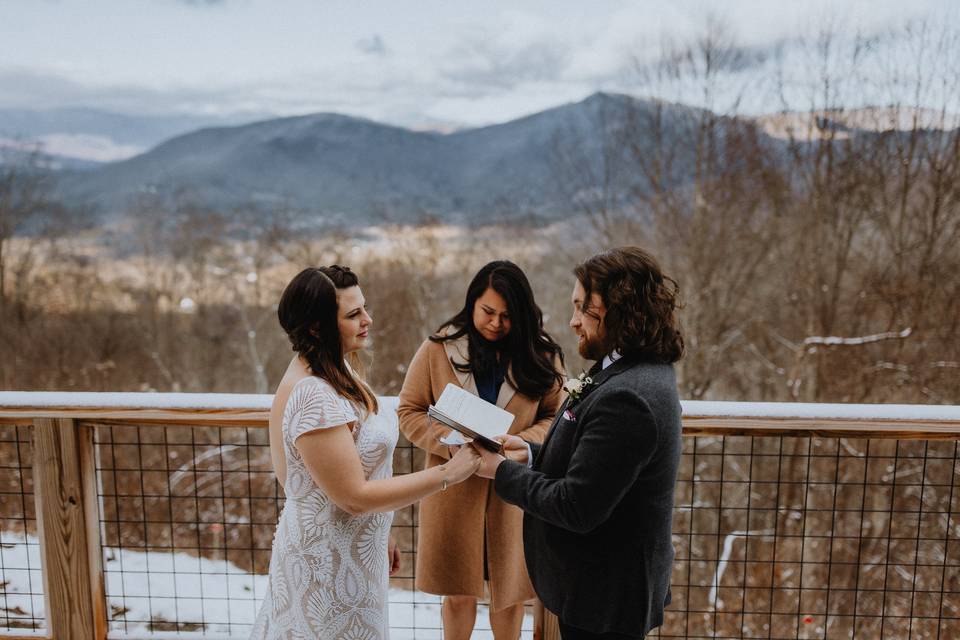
405,62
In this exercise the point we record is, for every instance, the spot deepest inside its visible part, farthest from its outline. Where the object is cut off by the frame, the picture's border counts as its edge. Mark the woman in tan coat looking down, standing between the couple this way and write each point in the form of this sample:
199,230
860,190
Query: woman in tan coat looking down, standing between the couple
494,347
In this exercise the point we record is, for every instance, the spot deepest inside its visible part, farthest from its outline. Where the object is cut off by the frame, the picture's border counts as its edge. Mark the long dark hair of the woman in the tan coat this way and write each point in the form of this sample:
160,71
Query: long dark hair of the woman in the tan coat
529,350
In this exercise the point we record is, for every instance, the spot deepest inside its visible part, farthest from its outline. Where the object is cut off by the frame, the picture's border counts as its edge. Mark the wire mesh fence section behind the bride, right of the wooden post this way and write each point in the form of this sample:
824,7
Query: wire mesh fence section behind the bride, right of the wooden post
187,522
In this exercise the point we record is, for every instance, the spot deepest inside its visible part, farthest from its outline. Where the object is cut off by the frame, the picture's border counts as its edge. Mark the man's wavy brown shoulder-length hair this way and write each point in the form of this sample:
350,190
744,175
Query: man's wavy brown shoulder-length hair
641,302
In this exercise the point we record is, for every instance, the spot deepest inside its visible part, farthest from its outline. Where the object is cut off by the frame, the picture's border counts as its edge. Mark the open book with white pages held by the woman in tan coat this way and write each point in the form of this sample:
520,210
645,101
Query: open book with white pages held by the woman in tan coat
471,416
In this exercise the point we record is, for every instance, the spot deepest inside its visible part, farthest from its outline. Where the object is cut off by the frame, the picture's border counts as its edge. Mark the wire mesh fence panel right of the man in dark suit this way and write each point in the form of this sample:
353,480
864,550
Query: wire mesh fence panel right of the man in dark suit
816,538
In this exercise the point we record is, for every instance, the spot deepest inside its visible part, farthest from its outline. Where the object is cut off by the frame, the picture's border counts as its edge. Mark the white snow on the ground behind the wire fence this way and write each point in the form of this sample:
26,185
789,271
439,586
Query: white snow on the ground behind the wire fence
216,595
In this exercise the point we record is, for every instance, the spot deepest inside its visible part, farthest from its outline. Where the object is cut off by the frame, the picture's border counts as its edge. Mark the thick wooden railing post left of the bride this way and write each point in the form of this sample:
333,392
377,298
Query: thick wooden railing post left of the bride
64,477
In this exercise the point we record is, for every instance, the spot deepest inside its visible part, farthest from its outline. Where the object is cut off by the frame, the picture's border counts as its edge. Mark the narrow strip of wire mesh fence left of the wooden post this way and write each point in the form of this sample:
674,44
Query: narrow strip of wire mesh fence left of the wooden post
21,576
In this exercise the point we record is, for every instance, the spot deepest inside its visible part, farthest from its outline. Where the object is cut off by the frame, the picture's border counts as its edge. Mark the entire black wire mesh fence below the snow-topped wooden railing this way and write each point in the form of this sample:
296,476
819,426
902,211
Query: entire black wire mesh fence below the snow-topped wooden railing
775,537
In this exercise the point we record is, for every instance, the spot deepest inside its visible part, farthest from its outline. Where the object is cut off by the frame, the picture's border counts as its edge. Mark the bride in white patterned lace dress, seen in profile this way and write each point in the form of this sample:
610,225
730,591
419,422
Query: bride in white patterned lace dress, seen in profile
333,455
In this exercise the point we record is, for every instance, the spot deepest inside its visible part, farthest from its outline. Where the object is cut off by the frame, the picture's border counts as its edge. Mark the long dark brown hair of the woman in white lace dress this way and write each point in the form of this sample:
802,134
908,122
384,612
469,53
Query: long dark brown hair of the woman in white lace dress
308,313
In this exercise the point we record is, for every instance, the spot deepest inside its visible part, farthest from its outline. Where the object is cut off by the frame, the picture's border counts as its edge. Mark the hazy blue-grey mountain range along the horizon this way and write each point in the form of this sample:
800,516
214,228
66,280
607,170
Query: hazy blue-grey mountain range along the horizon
335,169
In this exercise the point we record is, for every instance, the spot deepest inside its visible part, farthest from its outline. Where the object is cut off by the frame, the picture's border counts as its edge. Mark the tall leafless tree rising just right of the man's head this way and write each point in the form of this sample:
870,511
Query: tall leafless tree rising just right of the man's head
710,202
